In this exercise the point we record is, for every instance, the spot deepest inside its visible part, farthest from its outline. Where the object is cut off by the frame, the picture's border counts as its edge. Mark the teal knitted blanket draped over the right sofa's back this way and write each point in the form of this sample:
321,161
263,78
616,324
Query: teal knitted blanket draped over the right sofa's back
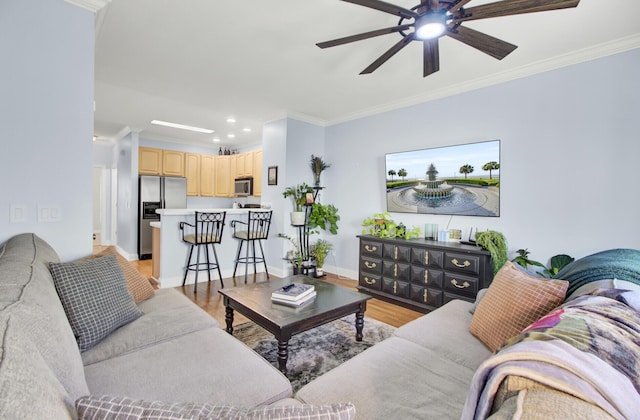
622,264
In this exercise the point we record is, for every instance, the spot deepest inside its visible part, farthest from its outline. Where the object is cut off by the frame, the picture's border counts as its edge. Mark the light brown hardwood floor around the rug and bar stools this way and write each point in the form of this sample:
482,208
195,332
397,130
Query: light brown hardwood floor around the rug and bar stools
210,300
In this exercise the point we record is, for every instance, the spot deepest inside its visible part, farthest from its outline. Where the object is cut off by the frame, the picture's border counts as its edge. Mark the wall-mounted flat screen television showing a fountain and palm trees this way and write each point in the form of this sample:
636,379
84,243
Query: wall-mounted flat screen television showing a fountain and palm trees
459,180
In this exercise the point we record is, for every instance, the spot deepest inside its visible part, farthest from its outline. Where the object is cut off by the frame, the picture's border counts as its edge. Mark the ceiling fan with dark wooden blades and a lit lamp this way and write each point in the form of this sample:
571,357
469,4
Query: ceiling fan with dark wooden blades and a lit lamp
432,19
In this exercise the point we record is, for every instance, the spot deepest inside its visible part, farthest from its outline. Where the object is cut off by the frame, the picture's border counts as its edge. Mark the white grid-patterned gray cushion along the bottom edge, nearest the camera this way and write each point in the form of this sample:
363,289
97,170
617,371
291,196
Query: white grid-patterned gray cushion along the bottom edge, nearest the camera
106,407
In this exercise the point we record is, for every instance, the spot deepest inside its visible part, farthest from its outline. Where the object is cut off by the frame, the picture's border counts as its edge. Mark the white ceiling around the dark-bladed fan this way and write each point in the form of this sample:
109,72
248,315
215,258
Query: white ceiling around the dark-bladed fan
198,62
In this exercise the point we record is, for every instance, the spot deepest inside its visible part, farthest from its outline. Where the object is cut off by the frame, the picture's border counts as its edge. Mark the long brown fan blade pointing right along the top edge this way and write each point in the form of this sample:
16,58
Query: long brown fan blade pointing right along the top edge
514,7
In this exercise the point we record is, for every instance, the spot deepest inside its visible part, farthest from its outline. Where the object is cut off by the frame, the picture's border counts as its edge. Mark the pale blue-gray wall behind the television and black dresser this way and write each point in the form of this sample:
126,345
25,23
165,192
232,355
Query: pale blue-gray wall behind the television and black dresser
569,159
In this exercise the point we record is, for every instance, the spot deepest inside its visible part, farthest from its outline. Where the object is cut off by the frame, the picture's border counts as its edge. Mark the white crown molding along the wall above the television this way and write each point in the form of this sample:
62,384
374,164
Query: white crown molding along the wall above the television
575,57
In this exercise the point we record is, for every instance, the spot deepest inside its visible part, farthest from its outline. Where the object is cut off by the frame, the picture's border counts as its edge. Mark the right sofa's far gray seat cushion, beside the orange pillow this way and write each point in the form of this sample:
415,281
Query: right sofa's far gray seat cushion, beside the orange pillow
446,332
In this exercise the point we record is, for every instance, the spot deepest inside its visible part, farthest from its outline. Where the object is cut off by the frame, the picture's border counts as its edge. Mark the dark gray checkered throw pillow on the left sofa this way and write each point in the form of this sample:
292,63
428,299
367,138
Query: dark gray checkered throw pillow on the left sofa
95,298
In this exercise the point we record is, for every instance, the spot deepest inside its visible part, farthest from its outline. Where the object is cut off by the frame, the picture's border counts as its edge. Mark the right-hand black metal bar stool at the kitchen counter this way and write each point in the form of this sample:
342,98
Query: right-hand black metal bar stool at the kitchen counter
255,229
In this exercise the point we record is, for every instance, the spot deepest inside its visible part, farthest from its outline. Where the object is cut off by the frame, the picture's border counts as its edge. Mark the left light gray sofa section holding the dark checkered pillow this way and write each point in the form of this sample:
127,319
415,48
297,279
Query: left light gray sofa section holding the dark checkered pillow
173,352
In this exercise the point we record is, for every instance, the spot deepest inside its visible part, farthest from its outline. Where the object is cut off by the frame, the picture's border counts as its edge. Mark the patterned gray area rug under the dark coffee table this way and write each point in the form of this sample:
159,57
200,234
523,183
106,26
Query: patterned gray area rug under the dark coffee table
315,351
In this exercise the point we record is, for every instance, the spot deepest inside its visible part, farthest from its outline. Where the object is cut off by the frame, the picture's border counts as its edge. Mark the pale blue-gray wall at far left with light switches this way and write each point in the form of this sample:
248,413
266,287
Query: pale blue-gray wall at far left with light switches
46,121
